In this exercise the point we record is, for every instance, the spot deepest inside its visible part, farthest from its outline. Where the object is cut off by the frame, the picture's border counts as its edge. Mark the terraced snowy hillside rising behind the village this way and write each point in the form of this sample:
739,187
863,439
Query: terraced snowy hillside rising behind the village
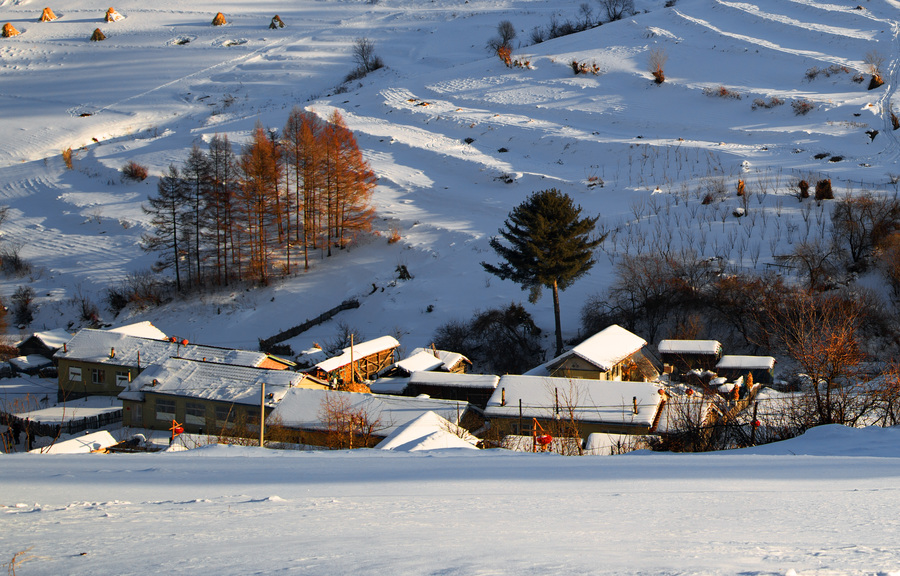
455,137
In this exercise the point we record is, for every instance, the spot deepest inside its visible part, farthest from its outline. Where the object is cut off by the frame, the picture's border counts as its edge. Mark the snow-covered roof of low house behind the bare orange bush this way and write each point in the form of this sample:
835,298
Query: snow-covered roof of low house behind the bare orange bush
302,408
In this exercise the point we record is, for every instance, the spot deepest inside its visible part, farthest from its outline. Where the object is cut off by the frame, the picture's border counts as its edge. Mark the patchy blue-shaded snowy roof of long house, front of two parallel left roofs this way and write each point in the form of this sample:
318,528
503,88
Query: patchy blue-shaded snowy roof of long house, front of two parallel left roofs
210,381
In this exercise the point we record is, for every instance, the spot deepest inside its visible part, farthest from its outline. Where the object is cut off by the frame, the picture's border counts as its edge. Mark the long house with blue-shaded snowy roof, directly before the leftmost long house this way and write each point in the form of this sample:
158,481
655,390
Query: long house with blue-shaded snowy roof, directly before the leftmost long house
223,399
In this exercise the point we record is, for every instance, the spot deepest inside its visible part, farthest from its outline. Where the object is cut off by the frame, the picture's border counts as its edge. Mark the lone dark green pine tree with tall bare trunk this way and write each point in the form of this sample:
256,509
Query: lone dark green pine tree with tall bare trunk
549,246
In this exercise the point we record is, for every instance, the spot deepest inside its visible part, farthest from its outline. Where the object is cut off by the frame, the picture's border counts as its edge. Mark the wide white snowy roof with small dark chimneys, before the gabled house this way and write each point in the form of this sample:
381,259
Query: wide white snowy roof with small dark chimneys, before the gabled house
610,402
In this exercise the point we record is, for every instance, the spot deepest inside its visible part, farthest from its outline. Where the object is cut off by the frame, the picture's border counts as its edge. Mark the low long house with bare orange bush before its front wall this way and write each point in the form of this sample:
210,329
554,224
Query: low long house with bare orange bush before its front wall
338,419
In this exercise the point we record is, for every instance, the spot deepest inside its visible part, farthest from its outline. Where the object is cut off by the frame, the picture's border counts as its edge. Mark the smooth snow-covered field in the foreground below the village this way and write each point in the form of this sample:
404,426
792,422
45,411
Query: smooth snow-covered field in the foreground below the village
822,504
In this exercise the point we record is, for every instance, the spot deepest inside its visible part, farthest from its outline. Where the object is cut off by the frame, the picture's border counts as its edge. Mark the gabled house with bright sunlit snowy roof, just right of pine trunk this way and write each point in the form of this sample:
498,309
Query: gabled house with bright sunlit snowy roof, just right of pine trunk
614,353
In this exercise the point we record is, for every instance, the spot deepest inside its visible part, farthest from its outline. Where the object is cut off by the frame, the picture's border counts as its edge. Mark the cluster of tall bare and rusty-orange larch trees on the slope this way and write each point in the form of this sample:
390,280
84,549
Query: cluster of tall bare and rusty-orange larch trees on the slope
247,215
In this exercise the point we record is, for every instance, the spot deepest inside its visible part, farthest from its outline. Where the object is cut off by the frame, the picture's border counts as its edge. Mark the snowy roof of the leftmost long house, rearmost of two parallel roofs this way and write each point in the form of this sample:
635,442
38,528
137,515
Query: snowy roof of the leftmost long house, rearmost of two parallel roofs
105,347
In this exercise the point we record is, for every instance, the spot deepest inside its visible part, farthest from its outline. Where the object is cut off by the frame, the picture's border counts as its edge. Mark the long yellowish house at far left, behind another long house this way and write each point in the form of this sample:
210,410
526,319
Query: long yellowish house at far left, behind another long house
100,362
